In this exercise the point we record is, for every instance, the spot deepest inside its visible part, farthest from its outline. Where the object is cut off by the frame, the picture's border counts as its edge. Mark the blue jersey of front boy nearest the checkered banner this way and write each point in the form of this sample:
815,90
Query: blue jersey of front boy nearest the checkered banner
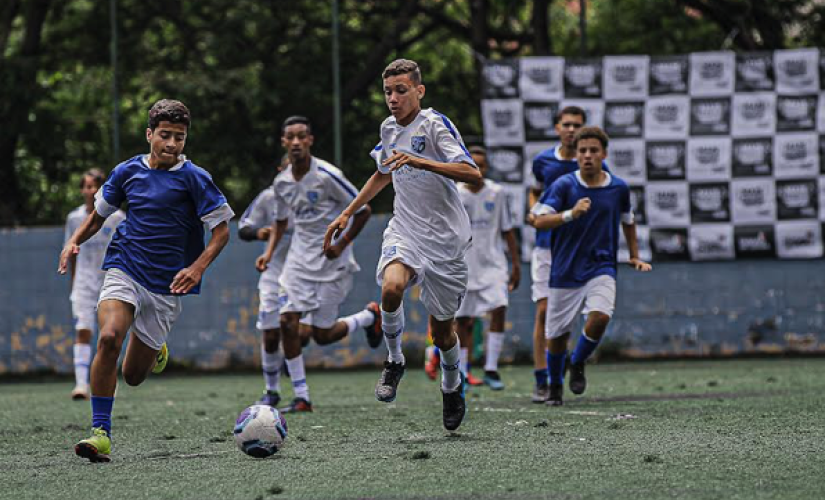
585,247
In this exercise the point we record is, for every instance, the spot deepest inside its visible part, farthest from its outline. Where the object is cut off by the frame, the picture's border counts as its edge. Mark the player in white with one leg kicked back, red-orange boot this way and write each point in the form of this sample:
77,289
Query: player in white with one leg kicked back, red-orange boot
316,278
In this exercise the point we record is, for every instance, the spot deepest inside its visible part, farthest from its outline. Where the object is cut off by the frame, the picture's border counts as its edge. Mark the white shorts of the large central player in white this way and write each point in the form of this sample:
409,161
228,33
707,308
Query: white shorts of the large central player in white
443,284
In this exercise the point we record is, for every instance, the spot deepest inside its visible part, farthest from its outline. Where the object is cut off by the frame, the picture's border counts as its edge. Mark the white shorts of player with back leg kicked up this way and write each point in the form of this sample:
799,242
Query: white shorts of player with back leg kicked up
319,301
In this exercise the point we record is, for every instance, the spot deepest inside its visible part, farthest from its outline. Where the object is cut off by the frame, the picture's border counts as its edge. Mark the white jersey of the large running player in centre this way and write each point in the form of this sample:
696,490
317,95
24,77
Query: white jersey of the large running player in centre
427,210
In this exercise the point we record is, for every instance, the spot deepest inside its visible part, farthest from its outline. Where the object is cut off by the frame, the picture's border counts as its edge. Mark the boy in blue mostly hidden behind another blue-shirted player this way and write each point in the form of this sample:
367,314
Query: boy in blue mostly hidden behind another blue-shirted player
548,166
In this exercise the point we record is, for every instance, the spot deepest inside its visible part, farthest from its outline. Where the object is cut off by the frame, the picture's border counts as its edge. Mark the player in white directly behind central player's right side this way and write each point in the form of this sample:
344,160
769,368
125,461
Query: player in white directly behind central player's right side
489,279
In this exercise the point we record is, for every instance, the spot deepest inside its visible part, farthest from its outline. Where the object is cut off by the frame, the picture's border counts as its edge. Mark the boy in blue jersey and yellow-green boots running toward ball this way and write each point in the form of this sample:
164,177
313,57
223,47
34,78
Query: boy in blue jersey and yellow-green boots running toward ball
156,256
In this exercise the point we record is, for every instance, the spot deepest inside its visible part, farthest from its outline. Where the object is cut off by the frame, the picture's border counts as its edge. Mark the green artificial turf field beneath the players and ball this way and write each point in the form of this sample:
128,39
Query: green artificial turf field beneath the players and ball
723,429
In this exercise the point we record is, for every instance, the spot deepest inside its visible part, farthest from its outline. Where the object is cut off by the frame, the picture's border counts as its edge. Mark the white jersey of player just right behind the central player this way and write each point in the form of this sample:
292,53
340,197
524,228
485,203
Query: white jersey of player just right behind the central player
489,216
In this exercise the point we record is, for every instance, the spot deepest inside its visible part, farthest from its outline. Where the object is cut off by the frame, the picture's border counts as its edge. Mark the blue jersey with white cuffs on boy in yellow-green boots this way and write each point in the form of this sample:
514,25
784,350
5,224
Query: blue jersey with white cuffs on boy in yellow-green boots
163,231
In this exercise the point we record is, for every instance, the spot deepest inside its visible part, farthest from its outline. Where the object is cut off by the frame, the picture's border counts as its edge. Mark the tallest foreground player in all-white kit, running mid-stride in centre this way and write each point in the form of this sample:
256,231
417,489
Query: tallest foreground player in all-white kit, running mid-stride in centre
421,153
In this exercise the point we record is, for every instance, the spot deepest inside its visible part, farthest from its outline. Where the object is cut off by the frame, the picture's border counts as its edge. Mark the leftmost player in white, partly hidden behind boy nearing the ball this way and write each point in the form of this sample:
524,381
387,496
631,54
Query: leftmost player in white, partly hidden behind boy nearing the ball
87,277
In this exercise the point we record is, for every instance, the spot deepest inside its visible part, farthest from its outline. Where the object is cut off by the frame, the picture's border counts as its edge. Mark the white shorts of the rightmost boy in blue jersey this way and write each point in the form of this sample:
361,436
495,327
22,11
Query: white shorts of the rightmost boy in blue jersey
565,304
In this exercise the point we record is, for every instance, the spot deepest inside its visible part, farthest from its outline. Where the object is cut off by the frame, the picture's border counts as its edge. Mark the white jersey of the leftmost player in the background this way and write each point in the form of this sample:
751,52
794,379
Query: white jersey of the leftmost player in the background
88,277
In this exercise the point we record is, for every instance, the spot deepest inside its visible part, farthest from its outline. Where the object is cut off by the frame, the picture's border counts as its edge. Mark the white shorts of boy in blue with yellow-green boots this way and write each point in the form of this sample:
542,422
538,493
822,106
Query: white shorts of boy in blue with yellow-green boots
154,313
